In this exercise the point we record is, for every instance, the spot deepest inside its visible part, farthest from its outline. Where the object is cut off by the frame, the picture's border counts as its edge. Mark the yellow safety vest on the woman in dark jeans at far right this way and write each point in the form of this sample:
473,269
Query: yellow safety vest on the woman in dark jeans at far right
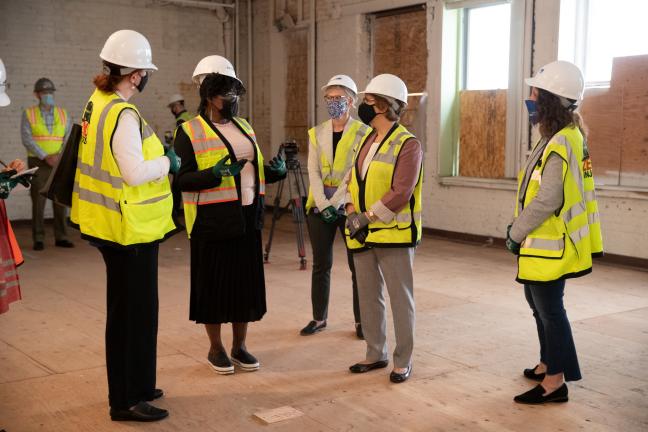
563,245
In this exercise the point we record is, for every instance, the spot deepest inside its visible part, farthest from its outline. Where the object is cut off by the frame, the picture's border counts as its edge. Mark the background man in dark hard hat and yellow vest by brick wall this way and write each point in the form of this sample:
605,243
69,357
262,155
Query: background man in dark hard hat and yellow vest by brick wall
44,130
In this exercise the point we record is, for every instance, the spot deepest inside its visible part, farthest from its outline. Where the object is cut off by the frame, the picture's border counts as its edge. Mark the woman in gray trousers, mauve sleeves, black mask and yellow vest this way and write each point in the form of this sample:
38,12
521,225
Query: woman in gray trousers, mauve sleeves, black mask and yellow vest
384,224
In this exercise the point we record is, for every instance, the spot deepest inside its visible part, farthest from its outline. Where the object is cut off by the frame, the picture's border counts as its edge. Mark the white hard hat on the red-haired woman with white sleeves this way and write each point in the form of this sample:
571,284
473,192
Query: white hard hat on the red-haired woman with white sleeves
128,48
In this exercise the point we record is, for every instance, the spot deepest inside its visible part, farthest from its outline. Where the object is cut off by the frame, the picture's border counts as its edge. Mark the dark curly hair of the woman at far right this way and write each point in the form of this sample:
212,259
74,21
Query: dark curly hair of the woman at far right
554,116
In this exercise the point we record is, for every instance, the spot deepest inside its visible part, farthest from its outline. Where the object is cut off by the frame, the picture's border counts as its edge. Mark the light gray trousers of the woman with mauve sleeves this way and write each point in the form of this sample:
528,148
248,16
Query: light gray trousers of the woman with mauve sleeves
392,267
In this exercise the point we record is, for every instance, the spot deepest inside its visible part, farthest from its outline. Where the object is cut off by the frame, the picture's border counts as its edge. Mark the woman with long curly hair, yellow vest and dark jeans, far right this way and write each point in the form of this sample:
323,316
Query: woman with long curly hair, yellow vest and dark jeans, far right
556,230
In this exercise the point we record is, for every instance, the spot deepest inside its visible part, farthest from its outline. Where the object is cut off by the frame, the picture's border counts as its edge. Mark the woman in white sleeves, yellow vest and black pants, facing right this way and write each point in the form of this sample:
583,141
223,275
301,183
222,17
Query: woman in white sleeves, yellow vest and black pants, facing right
122,204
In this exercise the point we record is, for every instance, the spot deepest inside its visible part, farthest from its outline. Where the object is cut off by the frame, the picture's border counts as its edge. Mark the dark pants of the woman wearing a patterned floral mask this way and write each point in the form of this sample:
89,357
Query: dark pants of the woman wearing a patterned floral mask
322,236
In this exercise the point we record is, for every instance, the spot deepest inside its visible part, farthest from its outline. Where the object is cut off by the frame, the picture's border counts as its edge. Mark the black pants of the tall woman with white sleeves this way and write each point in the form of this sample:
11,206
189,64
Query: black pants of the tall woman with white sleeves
131,323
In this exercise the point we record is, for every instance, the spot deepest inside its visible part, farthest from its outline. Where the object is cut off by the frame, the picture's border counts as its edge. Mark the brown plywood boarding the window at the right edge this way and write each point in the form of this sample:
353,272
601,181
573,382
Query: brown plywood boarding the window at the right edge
617,120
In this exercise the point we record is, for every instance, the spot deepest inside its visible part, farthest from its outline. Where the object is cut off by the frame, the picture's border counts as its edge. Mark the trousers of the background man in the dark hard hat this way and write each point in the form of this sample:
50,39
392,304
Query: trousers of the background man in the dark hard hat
38,204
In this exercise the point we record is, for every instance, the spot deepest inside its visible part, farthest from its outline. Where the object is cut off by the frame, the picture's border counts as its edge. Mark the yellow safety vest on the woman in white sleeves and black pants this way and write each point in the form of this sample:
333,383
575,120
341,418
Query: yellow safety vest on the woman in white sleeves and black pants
104,207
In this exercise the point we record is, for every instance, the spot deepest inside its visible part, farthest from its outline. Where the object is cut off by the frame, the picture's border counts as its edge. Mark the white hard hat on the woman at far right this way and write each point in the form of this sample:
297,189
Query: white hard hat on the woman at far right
561,78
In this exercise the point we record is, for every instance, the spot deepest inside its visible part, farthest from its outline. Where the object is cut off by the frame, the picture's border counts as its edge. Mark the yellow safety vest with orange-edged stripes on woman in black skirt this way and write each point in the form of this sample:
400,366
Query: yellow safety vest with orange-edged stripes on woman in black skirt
209,148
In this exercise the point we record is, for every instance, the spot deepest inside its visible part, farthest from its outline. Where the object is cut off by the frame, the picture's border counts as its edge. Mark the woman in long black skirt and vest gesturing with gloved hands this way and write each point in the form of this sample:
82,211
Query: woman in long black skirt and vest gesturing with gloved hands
223,182
